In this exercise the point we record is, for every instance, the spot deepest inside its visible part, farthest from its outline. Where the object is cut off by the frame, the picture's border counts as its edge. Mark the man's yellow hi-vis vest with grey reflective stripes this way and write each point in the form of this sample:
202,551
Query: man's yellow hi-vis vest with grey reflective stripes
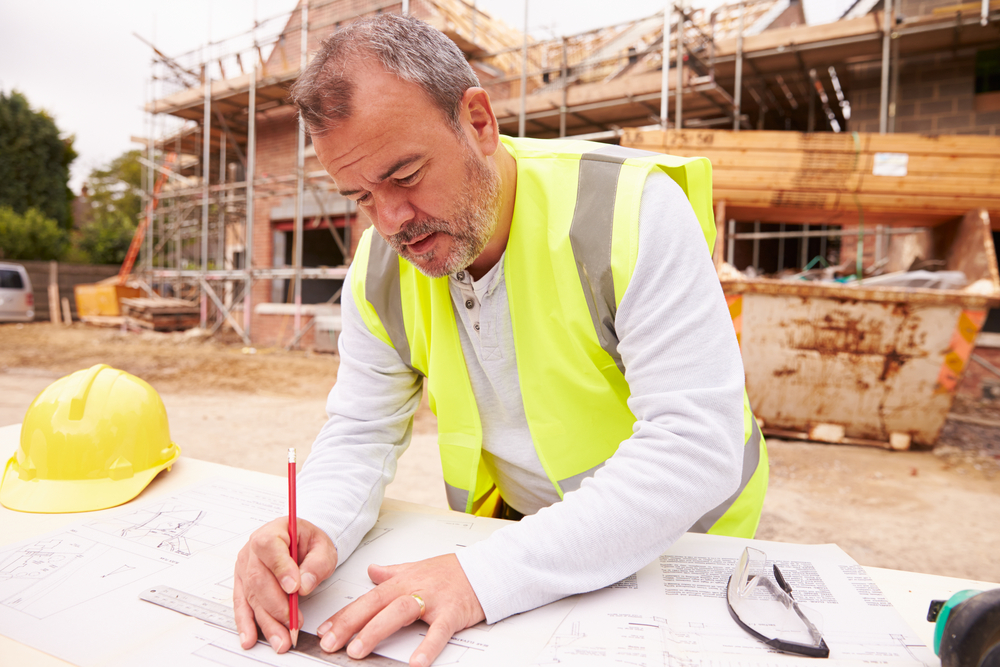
572,250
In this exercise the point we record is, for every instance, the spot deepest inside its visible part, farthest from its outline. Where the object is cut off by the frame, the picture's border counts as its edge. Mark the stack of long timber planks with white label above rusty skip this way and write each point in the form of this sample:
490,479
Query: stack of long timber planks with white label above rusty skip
837,179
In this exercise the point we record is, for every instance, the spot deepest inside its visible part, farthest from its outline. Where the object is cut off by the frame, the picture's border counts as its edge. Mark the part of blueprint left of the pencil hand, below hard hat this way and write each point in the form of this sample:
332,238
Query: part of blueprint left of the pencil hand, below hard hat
83,579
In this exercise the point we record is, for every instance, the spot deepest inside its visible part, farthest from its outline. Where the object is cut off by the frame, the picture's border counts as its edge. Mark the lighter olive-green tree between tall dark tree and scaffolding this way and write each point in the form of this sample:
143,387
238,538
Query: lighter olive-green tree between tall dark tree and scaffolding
115,199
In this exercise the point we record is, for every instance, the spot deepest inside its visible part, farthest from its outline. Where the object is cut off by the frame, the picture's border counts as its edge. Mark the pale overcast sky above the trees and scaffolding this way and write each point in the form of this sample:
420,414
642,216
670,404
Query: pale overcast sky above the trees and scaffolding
79,60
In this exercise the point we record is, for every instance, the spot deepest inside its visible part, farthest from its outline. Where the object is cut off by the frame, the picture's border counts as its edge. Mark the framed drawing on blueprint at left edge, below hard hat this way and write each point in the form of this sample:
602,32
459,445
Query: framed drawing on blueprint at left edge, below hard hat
31,576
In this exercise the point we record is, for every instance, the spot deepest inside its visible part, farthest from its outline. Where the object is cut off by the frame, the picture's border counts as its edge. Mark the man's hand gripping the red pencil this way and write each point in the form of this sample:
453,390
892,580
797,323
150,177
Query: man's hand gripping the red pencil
266,574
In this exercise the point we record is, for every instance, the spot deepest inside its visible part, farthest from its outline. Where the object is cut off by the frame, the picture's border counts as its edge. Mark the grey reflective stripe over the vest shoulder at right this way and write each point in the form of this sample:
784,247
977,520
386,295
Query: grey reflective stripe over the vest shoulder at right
590,236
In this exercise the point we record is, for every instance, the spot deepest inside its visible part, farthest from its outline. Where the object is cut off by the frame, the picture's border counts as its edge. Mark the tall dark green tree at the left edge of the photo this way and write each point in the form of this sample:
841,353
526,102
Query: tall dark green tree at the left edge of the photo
34,161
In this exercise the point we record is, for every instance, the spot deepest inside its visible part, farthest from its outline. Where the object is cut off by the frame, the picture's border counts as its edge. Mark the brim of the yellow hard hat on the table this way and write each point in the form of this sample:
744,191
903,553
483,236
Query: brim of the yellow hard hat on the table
56,496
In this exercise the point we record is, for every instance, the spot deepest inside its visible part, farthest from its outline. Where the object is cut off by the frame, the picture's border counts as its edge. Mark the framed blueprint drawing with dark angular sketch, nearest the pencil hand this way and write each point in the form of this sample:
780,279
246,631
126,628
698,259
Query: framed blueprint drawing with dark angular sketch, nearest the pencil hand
174,527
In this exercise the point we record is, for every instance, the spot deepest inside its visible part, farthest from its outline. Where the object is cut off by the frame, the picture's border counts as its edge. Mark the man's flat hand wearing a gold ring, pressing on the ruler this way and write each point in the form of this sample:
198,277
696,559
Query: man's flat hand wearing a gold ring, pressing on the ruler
450,605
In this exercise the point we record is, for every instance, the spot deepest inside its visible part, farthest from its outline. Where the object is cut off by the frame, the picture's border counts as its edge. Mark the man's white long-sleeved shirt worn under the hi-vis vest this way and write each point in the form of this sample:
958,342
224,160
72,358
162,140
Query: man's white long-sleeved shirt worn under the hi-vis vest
685,375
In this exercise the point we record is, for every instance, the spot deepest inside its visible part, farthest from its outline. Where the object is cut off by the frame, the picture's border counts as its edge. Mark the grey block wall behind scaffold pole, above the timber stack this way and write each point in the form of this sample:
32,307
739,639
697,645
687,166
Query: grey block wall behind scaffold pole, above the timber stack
936,96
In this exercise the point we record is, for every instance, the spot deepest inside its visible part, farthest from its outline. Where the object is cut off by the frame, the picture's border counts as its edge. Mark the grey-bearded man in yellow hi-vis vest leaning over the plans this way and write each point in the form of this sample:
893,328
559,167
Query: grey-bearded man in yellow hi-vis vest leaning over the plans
563,306
